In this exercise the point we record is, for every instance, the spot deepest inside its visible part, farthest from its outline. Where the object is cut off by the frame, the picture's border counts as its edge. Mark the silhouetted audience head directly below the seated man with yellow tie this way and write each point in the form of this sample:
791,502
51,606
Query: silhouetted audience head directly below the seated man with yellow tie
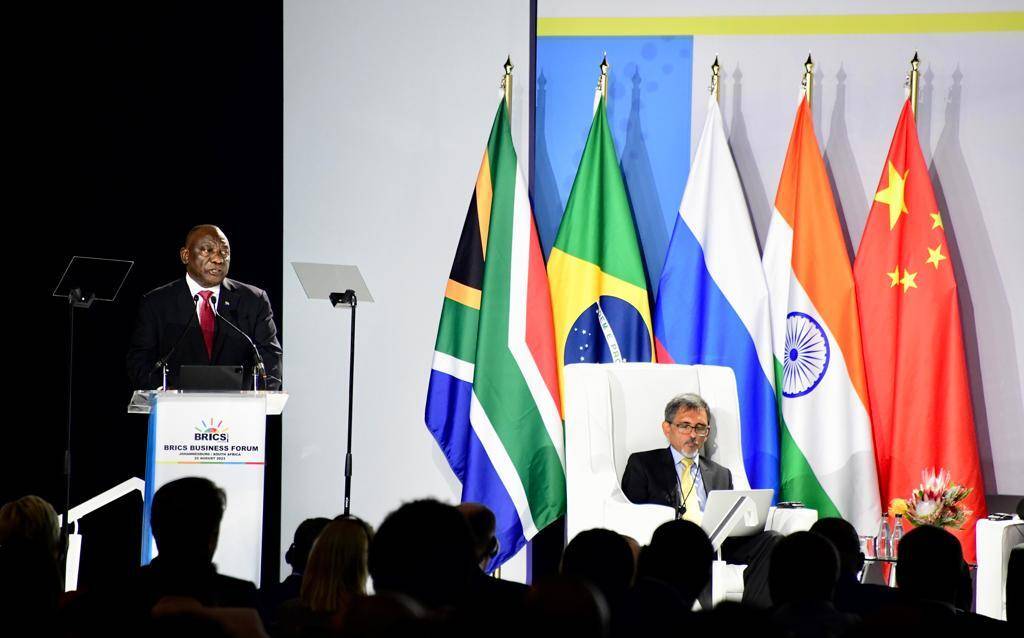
680,556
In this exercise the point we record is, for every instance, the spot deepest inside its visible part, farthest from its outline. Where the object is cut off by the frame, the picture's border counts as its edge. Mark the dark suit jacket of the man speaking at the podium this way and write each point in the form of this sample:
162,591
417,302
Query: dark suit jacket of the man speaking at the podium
163,315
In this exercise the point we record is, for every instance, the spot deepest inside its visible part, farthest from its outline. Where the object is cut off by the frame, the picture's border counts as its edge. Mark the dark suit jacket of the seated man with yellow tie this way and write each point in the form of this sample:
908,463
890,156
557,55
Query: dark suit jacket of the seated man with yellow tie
651,478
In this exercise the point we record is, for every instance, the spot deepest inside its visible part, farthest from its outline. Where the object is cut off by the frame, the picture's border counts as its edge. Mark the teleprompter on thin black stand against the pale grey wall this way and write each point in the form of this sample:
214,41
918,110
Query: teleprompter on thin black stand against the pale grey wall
344,287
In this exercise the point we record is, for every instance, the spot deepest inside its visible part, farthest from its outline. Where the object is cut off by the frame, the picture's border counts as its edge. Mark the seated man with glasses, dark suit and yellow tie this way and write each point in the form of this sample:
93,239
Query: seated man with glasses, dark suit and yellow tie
680,477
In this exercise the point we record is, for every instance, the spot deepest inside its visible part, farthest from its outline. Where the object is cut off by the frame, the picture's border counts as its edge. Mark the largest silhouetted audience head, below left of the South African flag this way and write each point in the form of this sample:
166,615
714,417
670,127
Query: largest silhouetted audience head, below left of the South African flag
424,550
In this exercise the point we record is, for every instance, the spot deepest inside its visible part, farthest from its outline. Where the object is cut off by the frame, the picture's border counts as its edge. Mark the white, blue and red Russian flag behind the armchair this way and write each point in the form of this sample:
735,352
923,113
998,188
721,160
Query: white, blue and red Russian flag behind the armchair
712,305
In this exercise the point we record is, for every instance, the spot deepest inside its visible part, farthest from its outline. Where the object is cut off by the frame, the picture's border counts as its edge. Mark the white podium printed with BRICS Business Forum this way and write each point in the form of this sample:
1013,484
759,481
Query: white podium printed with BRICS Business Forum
221,437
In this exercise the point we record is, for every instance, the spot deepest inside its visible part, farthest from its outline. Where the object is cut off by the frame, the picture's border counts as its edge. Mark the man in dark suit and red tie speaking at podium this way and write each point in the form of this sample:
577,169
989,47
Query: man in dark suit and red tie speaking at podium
193,316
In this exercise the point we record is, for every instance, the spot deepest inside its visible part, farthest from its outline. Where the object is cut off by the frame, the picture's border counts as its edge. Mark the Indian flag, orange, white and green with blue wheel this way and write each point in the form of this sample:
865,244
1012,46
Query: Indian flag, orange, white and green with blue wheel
828,459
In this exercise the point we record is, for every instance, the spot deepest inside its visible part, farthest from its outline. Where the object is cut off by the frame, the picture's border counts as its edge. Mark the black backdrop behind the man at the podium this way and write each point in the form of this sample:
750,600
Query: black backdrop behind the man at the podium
130,122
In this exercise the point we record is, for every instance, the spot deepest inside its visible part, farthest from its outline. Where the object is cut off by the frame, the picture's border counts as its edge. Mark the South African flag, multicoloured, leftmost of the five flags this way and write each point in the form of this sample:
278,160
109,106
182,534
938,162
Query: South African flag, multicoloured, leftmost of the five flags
493,401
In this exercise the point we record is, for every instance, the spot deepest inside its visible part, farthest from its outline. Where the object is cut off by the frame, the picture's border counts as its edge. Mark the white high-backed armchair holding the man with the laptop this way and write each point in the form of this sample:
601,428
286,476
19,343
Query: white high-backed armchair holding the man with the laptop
614,410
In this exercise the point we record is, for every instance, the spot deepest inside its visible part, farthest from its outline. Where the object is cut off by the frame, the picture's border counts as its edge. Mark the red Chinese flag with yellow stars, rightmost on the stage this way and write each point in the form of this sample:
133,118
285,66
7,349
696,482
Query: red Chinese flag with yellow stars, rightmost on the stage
914,351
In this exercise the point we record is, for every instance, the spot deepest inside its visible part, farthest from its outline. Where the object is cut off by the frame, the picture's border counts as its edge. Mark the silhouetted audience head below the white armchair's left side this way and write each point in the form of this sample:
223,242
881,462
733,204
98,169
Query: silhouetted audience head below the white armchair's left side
603,559
